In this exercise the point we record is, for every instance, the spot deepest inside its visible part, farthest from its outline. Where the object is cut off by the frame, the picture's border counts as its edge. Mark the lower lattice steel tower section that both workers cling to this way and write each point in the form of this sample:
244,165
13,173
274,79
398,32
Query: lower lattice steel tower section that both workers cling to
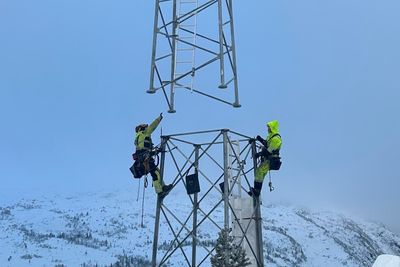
210,172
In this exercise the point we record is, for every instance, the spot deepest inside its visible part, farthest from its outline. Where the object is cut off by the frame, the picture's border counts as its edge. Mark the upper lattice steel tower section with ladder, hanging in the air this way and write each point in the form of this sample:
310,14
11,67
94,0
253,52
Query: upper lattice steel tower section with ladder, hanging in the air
188,44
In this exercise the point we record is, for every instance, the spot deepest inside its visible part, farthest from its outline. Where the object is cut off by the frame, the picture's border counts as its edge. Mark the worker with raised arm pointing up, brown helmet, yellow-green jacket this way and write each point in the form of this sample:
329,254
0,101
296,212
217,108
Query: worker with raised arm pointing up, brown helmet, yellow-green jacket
145,152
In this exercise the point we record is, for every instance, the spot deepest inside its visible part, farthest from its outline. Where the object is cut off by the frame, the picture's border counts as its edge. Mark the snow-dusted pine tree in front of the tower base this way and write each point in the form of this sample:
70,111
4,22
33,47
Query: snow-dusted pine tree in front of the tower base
228,254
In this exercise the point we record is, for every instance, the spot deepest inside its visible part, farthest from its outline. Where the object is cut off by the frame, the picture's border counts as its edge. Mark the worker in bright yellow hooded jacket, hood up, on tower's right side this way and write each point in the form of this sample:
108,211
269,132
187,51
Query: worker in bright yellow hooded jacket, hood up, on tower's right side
269,154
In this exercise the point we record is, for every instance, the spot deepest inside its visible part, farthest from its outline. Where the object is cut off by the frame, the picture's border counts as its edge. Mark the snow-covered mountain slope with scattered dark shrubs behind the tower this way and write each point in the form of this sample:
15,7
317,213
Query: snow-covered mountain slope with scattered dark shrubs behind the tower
105,228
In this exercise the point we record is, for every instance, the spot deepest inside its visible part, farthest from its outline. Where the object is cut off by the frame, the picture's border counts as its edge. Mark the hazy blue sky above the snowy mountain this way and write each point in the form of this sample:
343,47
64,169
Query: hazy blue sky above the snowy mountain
73,76
